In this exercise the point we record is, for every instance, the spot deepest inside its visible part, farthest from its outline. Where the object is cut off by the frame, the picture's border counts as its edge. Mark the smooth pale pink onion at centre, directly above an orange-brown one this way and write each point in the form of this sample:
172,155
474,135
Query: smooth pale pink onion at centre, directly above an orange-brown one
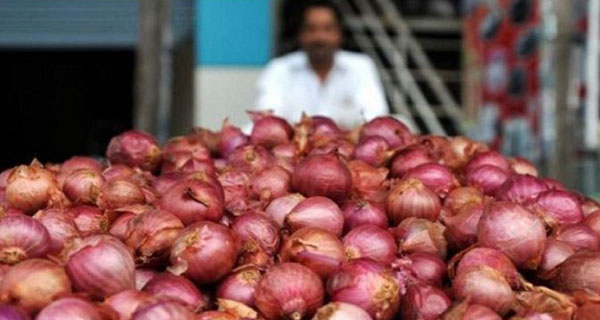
317,212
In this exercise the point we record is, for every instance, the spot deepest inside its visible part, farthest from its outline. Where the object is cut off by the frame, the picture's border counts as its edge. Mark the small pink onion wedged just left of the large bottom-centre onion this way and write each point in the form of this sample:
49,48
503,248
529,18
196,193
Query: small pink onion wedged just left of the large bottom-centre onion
240,286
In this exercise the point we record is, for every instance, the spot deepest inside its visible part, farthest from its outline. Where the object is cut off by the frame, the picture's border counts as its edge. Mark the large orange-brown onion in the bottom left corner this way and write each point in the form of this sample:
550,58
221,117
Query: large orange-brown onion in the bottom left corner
34,283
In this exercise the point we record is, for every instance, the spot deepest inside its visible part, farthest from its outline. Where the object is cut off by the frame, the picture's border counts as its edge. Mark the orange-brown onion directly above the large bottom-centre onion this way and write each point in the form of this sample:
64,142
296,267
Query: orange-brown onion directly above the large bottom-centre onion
315,248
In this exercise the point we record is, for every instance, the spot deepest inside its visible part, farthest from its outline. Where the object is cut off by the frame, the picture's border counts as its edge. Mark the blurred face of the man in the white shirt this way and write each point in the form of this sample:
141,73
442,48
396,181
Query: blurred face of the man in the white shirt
320,36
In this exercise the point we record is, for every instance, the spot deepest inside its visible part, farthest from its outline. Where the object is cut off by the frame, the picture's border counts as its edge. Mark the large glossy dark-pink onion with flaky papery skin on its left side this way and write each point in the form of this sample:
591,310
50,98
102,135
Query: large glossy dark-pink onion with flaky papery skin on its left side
204,252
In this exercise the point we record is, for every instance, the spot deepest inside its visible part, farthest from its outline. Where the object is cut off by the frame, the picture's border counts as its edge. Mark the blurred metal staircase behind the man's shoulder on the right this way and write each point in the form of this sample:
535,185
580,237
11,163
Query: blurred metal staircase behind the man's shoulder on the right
416,90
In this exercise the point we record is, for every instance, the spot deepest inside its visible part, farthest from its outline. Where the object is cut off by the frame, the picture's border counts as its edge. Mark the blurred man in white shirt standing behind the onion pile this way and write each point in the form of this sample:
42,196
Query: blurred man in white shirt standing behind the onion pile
322,79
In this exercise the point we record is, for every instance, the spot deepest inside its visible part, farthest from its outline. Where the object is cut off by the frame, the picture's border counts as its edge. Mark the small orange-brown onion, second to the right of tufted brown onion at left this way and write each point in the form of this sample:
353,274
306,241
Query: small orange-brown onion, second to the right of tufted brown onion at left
120,193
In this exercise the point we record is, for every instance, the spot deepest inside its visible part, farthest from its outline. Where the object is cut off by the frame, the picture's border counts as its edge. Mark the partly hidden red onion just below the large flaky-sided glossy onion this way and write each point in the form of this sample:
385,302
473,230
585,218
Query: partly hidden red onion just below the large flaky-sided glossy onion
165,285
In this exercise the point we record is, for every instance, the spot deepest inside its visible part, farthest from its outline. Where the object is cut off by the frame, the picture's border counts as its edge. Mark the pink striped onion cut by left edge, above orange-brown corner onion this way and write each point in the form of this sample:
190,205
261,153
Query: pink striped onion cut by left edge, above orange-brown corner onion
21,238
